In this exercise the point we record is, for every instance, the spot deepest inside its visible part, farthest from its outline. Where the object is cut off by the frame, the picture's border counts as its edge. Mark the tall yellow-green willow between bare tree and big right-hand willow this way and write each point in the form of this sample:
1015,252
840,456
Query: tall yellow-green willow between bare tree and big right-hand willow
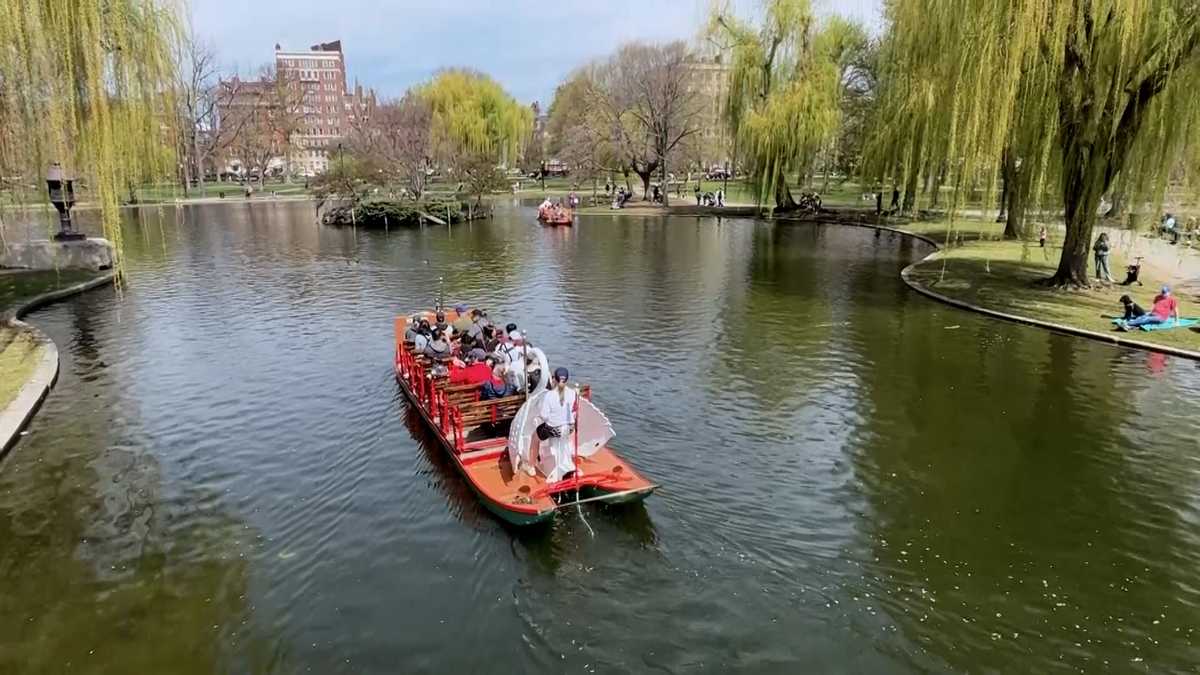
787,83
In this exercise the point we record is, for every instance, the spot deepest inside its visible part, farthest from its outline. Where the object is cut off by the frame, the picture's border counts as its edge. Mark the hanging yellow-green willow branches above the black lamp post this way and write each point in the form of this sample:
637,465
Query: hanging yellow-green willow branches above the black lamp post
88,85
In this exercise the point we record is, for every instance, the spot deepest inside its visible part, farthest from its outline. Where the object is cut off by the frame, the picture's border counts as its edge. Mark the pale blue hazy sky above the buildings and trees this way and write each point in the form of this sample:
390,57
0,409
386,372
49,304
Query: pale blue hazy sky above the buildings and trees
391,45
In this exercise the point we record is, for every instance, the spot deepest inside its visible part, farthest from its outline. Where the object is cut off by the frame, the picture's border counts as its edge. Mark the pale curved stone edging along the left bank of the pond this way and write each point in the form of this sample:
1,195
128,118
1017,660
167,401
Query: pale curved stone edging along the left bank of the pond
29,399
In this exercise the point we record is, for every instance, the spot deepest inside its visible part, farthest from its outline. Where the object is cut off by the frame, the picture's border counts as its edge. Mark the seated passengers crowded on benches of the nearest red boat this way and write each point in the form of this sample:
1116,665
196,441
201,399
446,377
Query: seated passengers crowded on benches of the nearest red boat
475,351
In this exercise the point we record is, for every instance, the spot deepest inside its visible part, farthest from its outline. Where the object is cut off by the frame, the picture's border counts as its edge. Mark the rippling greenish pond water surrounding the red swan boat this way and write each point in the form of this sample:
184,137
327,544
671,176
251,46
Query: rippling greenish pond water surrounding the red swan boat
226,477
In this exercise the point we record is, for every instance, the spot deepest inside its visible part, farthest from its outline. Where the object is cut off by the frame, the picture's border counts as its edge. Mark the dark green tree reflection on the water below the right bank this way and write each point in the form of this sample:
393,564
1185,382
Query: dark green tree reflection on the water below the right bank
1009,522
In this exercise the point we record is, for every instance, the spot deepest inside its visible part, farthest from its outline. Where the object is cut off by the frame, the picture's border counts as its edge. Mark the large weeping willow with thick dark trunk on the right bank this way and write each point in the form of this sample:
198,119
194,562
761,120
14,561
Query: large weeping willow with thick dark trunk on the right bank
1069,94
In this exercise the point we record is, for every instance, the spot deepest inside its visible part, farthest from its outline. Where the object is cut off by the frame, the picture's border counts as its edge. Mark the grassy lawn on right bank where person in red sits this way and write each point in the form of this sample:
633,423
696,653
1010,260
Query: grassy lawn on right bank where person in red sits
1001,276
